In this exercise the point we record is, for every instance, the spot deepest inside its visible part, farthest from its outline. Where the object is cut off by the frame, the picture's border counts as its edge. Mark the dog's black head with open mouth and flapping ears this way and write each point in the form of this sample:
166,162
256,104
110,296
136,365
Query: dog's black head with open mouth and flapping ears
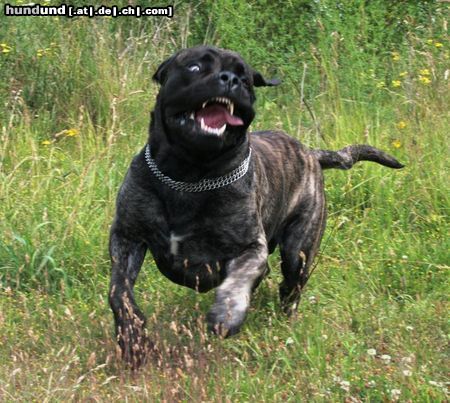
206,96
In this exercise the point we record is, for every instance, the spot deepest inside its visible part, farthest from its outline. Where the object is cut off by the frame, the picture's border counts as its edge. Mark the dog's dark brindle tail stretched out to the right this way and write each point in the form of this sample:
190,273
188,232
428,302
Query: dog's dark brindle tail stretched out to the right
348,156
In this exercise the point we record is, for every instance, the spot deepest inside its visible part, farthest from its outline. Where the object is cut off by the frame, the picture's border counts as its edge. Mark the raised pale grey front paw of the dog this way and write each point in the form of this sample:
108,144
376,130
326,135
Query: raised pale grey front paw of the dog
224,322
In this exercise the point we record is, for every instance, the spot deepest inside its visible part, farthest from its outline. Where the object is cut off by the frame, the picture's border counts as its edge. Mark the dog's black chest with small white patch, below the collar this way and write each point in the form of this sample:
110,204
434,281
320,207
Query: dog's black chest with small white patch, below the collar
198,239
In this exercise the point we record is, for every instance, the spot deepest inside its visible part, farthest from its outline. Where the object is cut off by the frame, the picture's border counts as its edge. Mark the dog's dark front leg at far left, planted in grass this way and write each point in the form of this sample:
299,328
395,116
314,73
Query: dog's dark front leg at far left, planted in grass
127,258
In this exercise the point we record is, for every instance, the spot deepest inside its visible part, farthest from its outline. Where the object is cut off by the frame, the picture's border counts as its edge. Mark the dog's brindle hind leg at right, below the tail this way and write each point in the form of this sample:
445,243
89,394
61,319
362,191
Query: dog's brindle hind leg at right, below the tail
298,247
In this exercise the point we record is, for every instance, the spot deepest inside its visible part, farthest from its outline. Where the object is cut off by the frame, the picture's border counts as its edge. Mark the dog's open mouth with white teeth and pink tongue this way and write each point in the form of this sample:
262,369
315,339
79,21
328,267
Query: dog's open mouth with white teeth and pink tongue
215,114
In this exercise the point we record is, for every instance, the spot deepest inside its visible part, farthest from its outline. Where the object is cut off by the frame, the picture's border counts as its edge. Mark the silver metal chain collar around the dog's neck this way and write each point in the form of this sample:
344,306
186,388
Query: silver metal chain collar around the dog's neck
204,184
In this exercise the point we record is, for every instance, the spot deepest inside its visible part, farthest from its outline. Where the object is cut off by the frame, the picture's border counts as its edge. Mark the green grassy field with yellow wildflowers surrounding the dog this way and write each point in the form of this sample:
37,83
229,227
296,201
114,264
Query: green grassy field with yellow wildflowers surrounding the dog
373,322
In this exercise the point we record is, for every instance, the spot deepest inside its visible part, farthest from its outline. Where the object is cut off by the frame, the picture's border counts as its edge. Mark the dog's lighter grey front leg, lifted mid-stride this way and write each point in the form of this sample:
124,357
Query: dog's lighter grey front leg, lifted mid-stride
233,295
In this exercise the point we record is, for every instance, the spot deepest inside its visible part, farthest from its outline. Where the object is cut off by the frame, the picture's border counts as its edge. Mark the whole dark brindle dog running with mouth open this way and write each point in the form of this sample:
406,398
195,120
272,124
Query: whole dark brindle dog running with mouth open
212,201
